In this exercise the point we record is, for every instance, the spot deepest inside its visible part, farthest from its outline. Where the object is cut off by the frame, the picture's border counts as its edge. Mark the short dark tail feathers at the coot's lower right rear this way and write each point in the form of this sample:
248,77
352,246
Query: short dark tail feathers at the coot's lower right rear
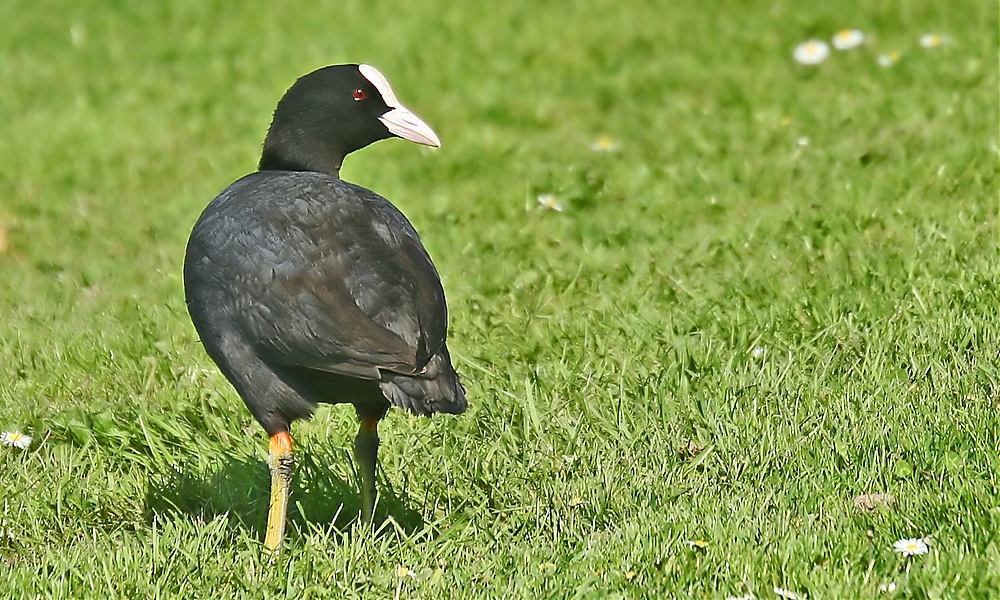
436,389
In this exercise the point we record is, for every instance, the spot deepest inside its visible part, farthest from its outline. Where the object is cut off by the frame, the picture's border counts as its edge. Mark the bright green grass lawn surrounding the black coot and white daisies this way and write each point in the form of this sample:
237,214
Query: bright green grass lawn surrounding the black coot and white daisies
617,405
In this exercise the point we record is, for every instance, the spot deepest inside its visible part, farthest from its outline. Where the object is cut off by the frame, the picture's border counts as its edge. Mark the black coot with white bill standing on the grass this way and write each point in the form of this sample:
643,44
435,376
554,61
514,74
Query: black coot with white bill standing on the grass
305,288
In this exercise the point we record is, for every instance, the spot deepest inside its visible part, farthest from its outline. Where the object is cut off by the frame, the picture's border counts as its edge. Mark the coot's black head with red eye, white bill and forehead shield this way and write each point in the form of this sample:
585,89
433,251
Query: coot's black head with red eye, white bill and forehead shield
332,112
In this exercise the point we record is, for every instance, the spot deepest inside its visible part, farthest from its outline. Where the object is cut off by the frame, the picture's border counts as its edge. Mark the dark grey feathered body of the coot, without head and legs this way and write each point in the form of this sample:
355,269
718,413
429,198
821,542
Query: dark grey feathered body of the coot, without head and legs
308,289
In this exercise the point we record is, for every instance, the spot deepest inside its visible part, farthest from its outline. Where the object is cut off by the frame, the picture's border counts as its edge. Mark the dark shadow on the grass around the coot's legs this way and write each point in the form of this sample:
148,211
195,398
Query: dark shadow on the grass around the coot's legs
240,489
